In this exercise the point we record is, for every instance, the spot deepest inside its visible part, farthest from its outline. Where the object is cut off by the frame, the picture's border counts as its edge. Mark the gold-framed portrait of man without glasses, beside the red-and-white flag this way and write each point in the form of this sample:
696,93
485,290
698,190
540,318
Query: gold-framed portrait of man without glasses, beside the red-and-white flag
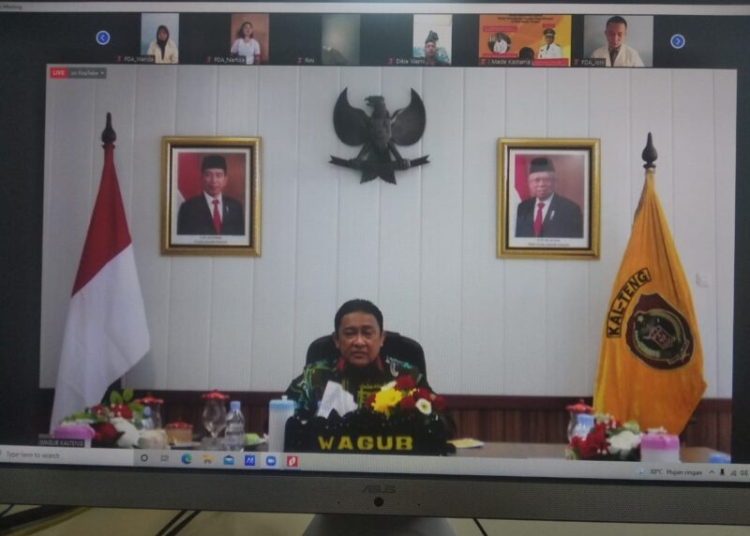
211,196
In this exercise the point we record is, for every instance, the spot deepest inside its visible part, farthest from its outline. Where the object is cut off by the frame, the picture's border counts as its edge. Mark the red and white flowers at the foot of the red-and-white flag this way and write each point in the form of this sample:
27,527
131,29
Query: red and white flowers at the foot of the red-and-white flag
106,425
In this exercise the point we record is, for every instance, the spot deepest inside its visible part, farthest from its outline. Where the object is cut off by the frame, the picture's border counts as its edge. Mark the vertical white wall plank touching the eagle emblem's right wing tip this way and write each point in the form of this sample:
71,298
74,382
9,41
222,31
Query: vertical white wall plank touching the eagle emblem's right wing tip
441,226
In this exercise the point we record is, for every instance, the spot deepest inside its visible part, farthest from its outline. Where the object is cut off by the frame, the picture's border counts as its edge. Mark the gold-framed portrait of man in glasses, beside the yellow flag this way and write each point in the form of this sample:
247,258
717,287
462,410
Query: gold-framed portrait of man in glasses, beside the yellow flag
548,198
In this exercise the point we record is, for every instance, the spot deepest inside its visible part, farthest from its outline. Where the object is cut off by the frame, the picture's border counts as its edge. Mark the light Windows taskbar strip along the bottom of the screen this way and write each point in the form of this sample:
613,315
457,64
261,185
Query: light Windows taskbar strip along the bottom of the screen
461,465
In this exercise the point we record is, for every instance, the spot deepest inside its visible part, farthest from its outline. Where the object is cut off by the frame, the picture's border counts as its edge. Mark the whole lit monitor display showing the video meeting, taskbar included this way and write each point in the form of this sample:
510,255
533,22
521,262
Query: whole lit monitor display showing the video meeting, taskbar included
274,116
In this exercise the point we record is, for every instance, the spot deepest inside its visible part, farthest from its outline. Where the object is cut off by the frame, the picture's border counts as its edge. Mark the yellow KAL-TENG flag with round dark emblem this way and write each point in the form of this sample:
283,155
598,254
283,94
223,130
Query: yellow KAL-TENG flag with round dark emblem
651,361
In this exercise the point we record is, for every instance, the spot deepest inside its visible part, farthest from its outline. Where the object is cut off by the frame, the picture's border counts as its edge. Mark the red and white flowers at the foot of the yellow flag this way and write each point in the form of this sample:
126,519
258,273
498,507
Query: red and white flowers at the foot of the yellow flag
608,439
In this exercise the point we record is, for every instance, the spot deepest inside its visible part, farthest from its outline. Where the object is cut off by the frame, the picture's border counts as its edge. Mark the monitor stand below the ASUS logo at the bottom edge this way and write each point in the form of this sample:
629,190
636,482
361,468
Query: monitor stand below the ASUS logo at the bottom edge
377,525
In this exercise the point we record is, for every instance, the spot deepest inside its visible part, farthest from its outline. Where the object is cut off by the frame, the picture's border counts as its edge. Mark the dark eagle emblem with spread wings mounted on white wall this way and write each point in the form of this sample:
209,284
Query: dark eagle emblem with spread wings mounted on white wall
379,134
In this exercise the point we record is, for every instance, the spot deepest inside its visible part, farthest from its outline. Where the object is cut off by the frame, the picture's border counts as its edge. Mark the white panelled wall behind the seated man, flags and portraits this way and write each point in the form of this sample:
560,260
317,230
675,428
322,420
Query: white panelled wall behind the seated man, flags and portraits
423,250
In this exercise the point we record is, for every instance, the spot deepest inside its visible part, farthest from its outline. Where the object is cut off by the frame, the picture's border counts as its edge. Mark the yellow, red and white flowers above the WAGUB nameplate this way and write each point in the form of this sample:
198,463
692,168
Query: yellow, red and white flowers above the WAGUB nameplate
402,395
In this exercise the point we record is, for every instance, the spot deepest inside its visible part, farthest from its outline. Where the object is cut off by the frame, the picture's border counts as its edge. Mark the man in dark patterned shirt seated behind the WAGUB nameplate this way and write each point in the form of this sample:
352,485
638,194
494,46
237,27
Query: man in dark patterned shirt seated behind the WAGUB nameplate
360,369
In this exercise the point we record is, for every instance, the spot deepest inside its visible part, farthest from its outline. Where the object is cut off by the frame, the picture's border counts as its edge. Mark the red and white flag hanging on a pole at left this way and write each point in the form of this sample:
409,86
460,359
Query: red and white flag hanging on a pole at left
106,332
